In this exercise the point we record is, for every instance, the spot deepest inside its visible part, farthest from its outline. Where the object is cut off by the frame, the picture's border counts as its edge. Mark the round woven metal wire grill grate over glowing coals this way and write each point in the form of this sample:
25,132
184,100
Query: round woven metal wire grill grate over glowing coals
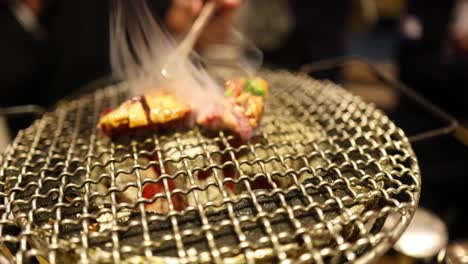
316,185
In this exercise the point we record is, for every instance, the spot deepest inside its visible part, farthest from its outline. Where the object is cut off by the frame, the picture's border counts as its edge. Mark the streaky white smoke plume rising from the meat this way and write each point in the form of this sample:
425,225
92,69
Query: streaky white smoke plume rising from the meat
140,49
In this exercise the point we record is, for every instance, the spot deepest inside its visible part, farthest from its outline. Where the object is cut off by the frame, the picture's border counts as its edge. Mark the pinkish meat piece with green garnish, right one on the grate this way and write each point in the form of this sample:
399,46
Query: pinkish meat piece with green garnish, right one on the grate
243,108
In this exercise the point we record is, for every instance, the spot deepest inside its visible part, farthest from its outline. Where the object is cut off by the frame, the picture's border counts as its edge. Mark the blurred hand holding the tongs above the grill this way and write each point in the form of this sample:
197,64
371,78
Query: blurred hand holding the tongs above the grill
182,13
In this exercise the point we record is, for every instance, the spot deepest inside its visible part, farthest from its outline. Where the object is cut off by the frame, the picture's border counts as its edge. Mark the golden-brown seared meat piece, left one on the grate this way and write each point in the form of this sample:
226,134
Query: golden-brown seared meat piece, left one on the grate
152,110
